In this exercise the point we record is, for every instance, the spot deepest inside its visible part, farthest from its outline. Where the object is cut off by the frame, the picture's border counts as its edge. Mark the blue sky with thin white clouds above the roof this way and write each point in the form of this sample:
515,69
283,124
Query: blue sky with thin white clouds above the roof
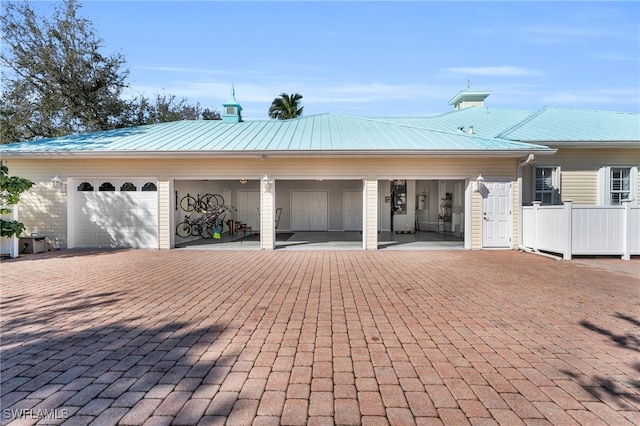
377,58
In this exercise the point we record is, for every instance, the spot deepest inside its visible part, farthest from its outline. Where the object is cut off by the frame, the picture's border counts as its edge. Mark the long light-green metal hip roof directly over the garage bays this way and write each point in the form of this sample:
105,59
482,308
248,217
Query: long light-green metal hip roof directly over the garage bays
318,134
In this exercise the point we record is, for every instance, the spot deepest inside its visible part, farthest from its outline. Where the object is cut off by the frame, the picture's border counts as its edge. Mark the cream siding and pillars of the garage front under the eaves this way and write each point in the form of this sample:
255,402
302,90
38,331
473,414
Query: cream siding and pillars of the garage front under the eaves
42,208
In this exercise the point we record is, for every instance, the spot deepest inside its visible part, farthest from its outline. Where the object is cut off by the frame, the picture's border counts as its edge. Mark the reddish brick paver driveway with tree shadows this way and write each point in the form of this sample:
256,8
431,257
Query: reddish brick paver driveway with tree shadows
318,337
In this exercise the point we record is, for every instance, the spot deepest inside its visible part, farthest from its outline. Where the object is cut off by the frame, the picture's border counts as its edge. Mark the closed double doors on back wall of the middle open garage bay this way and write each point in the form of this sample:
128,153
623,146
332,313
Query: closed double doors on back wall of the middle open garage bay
309,211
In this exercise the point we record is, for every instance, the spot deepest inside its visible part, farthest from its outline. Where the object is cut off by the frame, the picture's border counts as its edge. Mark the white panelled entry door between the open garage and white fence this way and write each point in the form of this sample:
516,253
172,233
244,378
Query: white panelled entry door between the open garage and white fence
496,215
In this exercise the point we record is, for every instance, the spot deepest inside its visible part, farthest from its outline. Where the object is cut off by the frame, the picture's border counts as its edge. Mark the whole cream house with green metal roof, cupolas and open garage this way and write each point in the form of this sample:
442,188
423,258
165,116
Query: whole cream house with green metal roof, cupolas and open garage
329,172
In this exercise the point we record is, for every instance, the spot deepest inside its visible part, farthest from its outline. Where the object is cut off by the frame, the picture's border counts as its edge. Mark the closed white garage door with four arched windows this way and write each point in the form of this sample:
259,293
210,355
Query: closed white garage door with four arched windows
116,213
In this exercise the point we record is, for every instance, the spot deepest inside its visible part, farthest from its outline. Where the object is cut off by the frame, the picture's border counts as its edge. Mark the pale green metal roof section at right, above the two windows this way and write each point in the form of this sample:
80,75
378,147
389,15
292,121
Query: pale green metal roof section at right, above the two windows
552,124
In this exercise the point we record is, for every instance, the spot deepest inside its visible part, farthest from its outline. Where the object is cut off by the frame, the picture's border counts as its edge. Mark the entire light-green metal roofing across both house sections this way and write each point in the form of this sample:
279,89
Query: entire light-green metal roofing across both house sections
495,130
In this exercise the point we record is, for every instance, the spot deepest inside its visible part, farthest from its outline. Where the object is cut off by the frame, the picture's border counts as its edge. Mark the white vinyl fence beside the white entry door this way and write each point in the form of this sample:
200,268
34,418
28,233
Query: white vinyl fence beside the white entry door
582,230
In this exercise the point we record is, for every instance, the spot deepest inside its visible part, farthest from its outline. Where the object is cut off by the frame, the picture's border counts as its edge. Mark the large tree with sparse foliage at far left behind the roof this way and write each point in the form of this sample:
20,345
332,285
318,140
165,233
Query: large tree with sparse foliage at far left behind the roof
55,79
